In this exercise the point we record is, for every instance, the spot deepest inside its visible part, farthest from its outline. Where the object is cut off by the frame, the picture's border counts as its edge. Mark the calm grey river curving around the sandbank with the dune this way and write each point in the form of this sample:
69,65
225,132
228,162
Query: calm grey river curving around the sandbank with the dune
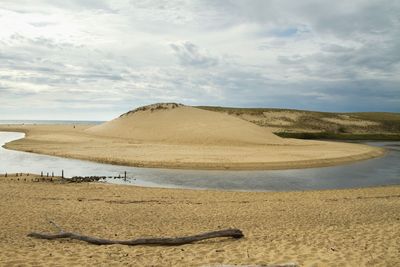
373,172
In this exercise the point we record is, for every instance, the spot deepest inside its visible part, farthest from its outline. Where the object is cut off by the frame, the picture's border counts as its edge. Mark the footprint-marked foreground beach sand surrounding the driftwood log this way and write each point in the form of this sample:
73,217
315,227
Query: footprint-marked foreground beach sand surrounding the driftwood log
322,228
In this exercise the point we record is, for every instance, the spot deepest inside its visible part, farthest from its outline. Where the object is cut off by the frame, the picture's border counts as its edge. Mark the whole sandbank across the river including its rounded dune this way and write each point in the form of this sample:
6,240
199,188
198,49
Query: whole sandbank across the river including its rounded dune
184,137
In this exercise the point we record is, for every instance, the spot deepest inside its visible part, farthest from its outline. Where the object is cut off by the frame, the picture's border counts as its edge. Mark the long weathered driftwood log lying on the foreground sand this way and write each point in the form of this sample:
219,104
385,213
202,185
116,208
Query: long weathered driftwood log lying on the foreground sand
163,241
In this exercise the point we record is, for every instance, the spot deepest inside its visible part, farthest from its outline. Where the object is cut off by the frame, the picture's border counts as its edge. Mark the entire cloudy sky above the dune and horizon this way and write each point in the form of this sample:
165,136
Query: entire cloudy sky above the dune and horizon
96,59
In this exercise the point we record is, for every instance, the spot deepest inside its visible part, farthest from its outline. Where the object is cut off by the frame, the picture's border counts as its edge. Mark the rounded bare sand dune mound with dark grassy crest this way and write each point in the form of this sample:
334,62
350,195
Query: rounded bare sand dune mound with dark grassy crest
171,123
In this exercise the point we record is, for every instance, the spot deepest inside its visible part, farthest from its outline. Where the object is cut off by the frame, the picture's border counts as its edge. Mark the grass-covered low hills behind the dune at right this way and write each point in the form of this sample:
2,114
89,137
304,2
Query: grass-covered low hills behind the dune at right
305,124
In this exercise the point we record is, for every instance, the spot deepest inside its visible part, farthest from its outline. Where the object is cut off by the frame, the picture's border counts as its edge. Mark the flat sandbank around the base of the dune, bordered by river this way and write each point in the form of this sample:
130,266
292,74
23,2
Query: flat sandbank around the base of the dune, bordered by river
76,142
